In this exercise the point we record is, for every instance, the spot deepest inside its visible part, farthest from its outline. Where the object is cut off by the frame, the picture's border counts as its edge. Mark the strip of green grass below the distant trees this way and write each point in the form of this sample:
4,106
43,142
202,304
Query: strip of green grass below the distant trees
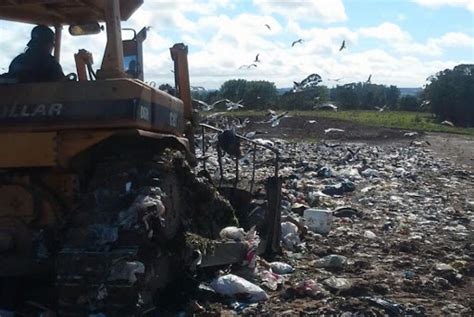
416,121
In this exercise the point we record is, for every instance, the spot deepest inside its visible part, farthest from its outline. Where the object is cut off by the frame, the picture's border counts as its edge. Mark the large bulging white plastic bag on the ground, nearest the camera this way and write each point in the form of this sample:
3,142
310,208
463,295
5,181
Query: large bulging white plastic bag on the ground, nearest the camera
234,286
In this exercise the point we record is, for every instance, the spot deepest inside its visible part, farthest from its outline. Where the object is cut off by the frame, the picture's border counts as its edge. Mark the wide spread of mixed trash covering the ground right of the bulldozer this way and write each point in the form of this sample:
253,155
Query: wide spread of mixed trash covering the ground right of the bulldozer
382,229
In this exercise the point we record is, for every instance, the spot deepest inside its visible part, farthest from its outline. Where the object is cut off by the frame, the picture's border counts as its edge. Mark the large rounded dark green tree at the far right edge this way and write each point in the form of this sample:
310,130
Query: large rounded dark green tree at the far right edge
451,94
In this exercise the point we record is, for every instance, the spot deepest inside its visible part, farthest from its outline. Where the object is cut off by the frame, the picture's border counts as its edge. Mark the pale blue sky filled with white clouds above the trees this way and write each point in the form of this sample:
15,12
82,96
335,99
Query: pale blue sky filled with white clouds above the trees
399,42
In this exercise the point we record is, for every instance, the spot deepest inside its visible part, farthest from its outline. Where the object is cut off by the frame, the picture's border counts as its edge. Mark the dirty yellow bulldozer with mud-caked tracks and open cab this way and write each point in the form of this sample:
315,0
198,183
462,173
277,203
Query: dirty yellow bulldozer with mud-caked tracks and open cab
97,197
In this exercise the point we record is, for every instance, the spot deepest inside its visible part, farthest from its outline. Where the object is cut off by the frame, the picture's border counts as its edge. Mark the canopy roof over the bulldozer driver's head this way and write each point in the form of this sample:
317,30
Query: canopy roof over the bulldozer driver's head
64,12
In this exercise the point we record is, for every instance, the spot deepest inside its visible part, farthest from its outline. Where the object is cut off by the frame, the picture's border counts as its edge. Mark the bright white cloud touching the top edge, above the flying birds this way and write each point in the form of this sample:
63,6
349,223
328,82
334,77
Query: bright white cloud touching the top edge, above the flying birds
322,10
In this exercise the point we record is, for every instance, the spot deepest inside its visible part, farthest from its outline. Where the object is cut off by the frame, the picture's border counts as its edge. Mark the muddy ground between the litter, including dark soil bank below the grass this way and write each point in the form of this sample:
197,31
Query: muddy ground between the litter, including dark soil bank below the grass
419,212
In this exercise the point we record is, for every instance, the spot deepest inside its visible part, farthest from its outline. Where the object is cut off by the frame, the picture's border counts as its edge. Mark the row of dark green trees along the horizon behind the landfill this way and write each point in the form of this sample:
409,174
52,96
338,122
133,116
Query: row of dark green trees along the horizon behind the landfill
449,95
